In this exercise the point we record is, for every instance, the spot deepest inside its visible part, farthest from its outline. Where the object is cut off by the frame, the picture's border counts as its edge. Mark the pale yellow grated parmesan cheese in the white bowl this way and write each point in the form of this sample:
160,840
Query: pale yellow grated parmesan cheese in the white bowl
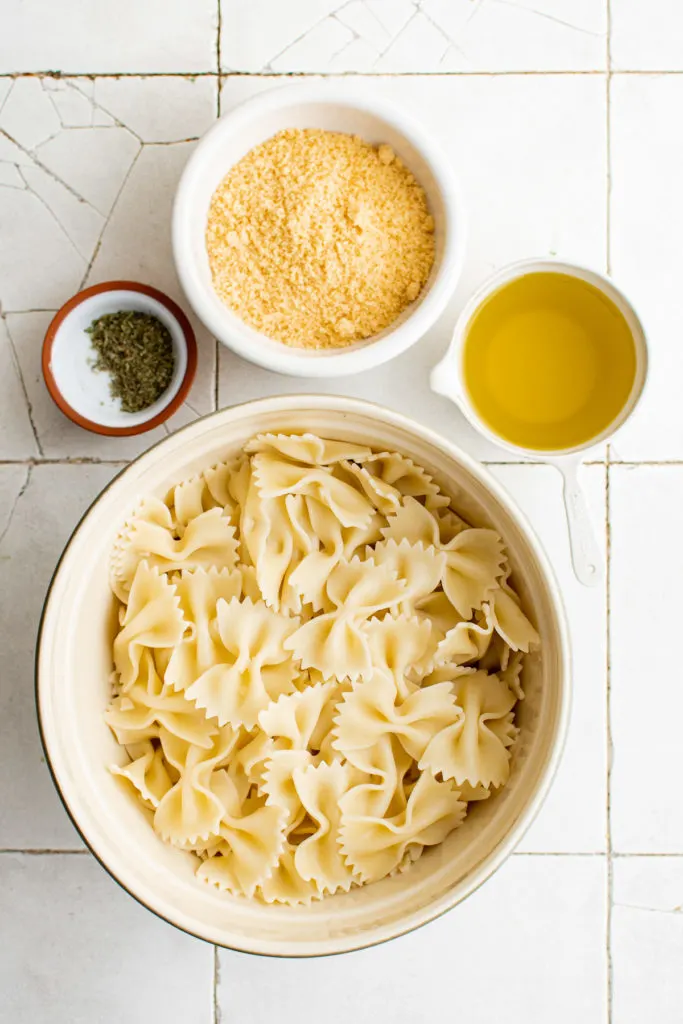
319,239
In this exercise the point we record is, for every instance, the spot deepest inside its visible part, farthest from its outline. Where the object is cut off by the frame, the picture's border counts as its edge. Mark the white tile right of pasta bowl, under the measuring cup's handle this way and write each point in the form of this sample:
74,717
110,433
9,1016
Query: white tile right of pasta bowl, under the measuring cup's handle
574,817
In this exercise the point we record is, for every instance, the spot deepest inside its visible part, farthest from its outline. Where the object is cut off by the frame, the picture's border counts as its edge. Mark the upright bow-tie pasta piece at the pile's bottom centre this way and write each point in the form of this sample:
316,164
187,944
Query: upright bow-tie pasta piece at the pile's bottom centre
319,859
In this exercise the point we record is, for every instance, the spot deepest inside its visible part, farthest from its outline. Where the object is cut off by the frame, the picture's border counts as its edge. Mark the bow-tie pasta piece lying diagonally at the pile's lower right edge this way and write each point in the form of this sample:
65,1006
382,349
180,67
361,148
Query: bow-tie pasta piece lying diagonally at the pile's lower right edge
373,847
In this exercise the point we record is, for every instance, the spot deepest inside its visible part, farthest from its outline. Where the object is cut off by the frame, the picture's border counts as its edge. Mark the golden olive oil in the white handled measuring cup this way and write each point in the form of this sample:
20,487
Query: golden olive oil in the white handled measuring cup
549,362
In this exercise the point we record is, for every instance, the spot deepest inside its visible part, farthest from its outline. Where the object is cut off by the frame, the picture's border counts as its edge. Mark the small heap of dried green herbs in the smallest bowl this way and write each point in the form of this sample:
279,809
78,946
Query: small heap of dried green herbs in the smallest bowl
137,351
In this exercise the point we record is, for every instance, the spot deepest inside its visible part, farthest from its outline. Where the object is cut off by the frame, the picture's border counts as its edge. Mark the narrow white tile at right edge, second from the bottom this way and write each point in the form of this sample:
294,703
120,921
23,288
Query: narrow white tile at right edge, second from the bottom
647,695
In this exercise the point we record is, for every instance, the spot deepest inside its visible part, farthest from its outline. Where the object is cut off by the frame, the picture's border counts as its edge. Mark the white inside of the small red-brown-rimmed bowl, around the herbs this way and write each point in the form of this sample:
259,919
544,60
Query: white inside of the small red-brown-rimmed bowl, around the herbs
88,391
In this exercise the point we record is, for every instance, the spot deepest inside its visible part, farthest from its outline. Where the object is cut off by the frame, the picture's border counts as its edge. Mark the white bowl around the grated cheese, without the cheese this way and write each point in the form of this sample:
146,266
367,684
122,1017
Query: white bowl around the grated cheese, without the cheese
335,108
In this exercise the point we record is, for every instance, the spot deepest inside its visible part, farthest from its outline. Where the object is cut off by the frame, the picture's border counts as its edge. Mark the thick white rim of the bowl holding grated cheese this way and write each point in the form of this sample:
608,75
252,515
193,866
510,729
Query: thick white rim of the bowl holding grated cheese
298,363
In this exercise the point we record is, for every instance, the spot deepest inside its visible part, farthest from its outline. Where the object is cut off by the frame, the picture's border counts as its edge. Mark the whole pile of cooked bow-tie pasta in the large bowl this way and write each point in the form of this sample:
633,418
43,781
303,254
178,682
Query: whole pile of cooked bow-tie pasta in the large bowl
317,668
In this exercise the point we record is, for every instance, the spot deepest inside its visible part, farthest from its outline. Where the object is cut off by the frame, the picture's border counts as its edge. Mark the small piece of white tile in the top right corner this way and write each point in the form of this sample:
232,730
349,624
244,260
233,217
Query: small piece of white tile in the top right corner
647,37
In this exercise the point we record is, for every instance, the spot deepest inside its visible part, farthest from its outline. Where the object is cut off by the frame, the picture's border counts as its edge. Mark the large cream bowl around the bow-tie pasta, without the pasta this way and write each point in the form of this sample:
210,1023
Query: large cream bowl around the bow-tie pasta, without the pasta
74,665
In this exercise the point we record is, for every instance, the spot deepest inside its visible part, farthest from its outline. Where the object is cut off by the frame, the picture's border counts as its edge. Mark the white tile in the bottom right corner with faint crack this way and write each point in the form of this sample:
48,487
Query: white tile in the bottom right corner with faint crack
648,941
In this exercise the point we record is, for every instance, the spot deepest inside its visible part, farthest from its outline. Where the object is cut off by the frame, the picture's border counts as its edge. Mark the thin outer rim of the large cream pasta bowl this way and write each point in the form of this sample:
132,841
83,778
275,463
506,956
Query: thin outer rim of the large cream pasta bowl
500,854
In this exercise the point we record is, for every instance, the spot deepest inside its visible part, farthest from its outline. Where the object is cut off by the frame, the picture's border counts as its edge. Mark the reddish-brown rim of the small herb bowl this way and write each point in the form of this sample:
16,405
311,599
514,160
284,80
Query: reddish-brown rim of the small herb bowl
186,385
